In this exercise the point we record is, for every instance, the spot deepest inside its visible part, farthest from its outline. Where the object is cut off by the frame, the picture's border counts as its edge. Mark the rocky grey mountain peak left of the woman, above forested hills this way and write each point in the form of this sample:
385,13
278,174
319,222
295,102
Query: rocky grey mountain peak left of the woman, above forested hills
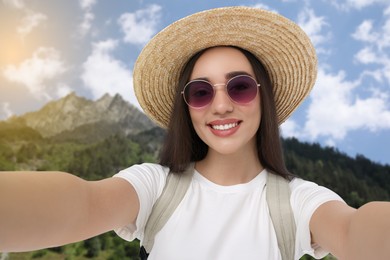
77,118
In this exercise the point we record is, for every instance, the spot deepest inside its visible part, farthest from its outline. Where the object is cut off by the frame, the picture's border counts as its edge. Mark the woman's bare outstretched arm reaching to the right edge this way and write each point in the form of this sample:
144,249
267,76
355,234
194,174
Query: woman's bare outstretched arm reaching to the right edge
353,234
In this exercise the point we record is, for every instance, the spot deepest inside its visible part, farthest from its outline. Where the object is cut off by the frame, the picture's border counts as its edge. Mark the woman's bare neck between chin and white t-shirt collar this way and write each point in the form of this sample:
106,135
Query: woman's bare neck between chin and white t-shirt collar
229,169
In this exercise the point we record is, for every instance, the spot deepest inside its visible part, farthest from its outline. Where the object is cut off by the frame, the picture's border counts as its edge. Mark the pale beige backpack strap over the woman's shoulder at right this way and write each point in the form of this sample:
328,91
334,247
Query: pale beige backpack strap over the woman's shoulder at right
278,200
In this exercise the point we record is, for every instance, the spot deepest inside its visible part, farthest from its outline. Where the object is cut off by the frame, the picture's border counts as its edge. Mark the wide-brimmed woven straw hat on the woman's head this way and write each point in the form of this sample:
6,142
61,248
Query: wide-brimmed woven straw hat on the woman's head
280,44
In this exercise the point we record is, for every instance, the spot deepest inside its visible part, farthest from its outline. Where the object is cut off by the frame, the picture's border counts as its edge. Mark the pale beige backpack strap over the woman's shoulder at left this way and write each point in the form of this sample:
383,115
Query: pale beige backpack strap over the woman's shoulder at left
175,188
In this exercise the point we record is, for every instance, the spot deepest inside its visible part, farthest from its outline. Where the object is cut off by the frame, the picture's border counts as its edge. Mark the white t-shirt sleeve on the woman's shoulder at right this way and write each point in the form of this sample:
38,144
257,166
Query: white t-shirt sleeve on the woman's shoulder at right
306,197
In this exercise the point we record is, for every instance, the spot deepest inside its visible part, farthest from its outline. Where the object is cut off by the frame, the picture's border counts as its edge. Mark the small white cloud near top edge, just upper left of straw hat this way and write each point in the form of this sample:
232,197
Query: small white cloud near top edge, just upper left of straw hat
140,26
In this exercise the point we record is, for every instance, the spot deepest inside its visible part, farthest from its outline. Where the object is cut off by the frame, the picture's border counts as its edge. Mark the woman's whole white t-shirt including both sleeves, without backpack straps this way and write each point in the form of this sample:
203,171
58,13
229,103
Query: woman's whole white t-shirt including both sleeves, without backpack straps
221,222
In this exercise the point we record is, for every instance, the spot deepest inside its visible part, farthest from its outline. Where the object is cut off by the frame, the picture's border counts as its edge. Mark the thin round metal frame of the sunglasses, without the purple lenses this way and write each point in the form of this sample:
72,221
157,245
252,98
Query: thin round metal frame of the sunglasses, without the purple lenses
225,87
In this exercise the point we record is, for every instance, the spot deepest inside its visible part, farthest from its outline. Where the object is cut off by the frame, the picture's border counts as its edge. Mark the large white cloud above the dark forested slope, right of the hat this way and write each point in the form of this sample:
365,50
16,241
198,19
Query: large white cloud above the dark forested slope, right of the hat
335,109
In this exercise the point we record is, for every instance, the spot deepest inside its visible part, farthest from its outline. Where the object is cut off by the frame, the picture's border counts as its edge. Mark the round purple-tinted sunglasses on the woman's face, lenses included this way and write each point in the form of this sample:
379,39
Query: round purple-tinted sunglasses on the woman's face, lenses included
241,89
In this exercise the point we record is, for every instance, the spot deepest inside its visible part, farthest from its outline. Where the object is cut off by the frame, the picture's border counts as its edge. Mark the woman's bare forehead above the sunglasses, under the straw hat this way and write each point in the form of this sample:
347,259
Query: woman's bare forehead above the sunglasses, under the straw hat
216,62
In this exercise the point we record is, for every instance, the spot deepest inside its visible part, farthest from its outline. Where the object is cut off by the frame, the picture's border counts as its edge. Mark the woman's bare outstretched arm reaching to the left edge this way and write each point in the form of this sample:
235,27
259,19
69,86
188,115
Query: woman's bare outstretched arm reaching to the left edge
46,209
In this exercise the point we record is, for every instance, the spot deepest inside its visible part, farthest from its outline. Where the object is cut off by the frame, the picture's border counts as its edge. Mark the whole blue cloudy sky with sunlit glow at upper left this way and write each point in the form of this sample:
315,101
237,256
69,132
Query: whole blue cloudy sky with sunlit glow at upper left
49,49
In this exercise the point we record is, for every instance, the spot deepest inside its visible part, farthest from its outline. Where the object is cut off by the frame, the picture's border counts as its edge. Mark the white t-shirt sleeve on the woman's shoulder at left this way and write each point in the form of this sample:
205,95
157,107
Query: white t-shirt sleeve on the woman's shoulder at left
148,181
